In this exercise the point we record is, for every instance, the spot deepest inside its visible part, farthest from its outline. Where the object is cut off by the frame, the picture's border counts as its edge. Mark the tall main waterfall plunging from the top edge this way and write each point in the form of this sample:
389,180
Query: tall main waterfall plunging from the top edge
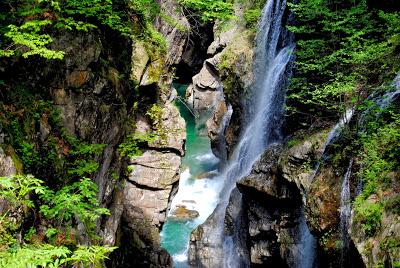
265,115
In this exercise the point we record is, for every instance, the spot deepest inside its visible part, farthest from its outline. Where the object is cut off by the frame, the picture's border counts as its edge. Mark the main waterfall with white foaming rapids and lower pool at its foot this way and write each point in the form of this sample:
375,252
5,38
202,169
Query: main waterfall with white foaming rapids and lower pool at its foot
274,50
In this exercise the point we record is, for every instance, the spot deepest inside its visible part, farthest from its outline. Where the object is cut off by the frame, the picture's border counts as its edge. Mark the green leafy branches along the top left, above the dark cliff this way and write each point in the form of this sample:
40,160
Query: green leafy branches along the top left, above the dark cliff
27,25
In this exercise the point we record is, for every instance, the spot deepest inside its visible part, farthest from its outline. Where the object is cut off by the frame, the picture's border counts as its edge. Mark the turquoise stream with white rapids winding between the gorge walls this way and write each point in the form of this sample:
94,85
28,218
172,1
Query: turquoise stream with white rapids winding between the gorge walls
195,194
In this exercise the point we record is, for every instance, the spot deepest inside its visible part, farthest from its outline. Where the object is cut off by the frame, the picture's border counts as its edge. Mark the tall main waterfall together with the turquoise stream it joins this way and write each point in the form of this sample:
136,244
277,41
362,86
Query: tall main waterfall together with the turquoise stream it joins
261,128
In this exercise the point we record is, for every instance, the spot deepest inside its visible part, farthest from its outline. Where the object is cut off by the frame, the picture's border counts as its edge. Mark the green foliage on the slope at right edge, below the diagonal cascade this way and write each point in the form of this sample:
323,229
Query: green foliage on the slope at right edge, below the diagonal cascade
379,157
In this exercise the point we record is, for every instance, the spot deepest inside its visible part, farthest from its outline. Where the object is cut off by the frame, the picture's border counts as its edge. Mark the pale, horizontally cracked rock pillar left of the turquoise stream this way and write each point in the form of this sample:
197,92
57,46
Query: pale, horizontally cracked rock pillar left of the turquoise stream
147,192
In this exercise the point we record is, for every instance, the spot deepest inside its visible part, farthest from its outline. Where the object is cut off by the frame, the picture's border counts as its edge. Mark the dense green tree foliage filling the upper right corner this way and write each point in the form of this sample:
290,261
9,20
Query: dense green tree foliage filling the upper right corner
344,49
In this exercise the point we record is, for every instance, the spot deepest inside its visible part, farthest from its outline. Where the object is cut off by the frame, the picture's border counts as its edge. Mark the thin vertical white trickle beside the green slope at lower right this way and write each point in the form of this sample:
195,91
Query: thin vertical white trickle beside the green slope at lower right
345,213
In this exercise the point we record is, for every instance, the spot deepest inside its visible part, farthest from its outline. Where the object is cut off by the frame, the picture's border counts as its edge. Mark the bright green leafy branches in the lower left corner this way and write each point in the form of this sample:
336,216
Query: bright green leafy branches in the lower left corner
77,200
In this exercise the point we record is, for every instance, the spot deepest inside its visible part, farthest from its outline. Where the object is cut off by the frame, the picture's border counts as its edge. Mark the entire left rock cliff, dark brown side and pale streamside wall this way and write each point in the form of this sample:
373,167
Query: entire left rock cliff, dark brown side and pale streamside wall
95,100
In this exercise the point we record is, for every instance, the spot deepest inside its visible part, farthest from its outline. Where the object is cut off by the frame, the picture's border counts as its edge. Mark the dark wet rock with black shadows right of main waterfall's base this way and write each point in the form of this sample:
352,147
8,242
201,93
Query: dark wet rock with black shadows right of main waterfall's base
272,212
